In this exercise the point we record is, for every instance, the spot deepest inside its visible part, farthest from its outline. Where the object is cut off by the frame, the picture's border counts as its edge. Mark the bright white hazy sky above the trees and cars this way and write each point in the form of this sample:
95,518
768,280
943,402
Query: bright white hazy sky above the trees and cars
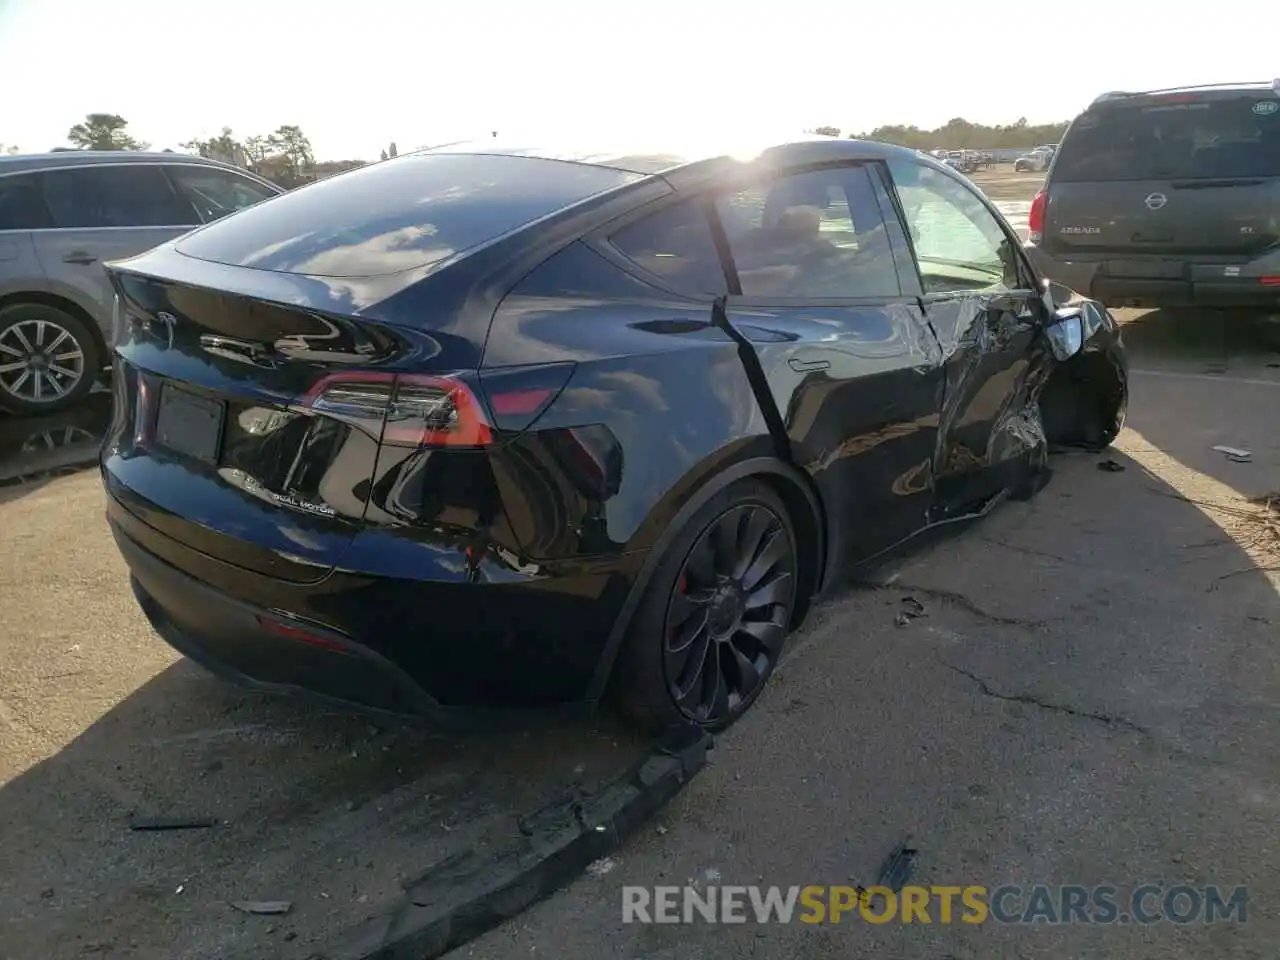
359,76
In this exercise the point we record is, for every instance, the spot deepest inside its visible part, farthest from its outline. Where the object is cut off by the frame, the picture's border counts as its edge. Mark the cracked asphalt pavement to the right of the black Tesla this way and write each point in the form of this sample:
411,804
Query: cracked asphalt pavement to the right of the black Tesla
1091,697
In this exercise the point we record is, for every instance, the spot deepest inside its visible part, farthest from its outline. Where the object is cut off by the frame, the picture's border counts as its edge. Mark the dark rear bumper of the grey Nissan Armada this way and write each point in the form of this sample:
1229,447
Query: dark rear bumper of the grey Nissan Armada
1203,286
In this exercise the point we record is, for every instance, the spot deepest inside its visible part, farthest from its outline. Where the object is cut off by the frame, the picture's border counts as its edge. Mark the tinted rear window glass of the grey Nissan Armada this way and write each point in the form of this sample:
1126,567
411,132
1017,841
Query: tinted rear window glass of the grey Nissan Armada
1206,139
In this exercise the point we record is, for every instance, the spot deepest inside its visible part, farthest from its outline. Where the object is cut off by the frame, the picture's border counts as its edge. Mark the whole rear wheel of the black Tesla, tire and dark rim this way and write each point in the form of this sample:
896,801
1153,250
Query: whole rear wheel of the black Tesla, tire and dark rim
735,607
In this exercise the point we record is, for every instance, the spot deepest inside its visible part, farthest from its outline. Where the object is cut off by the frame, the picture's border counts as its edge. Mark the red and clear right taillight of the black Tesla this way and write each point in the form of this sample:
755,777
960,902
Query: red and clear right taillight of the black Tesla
408,409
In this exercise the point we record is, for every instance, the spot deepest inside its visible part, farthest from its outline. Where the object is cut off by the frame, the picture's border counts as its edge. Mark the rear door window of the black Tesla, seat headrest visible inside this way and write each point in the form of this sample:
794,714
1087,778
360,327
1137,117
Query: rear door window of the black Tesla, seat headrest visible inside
811,236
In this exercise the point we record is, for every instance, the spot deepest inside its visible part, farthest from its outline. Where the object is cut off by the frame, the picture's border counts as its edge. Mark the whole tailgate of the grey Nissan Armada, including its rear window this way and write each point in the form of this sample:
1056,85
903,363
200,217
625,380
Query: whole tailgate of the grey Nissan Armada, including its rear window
1169,176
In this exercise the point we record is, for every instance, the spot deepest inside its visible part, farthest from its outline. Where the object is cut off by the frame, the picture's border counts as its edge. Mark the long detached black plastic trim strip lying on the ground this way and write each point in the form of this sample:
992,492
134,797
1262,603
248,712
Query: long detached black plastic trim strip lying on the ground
467,895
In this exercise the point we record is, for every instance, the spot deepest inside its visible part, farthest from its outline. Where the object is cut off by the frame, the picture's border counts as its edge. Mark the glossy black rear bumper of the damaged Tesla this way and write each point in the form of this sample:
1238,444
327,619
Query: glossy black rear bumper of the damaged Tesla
382,646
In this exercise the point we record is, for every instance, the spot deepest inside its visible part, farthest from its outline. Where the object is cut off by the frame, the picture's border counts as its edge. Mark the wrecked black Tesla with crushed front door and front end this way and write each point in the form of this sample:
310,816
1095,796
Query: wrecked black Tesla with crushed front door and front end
491,431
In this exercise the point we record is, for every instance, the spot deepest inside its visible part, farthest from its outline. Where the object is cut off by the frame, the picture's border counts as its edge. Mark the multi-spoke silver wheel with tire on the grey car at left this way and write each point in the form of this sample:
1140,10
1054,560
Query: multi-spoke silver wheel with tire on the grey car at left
52,374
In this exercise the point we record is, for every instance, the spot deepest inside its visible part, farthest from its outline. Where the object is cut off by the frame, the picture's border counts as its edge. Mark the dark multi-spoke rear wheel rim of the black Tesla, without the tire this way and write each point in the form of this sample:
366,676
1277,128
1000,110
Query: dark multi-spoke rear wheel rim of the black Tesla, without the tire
729,614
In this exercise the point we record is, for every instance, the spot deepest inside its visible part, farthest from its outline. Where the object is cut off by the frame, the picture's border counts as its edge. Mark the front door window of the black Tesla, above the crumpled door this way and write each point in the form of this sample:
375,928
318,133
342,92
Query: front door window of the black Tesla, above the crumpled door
959,244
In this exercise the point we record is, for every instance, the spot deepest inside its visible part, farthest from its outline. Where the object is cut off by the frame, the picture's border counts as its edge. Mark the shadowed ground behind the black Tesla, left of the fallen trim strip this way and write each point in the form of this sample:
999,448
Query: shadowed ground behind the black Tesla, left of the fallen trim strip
284,802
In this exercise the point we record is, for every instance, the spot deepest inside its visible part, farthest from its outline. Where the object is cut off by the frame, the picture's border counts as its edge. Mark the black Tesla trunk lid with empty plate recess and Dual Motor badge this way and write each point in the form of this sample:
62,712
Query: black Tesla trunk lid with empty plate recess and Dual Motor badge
218,438
